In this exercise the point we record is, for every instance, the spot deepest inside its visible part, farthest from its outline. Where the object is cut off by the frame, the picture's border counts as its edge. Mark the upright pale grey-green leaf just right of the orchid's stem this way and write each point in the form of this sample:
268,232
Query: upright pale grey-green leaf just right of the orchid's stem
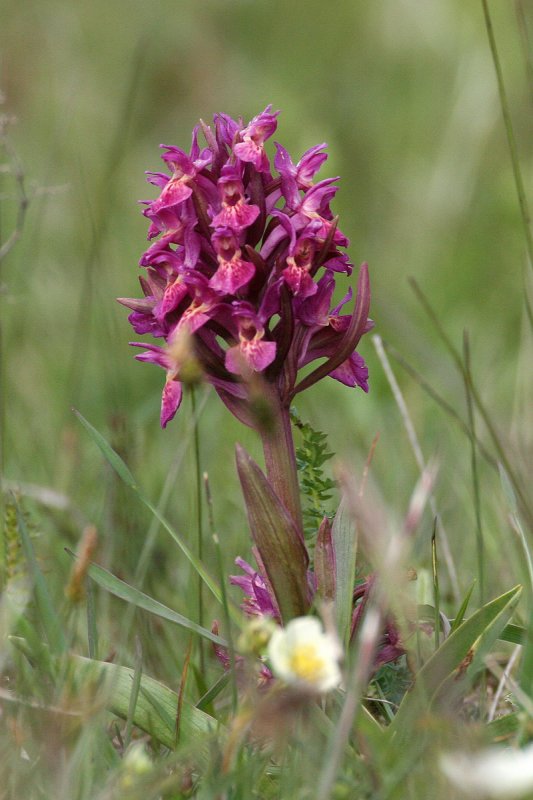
344,534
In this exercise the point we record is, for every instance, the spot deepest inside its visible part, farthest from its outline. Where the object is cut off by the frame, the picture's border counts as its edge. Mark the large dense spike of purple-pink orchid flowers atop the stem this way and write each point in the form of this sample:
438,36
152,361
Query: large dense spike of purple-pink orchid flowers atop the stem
241,268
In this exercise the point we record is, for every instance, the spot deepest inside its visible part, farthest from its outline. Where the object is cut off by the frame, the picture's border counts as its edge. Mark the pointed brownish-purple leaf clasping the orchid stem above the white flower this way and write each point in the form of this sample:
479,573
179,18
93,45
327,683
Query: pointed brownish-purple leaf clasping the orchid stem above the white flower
280,545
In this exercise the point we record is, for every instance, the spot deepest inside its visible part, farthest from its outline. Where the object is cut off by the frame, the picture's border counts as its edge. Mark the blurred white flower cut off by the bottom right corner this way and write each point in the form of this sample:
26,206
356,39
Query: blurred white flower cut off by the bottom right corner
494,773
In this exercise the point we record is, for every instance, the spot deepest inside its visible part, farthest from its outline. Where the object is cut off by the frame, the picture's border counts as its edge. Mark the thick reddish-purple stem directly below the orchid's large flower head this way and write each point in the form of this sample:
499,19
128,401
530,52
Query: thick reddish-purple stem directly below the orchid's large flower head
280,460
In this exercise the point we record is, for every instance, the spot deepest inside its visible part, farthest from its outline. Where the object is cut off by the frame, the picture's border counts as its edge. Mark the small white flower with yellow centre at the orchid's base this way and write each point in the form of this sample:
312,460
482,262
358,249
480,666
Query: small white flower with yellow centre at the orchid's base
303,655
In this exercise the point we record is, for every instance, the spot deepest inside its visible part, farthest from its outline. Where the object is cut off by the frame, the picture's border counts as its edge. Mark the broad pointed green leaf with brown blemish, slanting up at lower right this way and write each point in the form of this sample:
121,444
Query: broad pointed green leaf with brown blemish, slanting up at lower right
453,666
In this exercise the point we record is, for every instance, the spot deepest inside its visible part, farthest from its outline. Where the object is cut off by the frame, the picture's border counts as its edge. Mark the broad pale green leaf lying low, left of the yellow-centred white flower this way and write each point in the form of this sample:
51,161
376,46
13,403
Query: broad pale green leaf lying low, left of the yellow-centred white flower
156,707
